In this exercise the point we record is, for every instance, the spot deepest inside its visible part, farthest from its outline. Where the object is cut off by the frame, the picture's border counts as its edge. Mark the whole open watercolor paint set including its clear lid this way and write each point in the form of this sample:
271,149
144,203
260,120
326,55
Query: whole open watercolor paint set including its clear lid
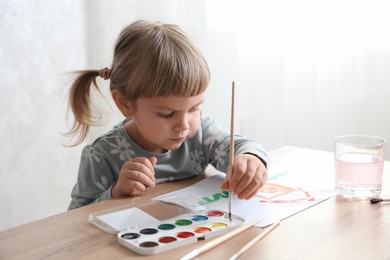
156,227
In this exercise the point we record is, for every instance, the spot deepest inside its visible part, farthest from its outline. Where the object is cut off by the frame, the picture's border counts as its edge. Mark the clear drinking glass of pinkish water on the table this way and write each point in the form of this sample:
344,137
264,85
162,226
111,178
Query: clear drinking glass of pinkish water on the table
359,165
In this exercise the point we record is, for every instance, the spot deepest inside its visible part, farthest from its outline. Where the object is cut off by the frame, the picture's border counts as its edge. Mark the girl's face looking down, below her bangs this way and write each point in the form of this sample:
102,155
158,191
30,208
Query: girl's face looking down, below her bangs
163,123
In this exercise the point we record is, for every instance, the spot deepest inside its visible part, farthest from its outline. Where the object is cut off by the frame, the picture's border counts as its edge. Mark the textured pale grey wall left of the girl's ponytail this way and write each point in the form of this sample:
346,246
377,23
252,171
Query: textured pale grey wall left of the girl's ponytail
39,42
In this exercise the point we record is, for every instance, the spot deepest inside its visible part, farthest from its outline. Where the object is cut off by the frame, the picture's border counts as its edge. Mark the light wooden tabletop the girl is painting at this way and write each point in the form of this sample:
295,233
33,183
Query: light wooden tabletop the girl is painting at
333,229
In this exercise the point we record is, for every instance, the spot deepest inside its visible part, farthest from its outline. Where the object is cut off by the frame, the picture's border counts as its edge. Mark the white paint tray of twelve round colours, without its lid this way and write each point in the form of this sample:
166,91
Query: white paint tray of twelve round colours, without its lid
177,231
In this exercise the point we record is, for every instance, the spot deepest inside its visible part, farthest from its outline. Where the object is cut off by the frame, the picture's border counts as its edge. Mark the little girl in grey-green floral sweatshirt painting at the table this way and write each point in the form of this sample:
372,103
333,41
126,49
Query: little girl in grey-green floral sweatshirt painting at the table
157,79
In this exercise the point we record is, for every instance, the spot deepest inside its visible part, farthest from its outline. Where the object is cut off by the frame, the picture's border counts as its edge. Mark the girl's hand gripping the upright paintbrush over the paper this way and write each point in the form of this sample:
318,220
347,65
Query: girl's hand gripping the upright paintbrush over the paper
247,177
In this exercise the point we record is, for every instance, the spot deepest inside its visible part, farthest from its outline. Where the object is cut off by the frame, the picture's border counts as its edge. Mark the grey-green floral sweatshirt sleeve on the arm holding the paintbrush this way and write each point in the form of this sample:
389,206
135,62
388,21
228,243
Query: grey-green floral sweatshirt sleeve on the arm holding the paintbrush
216,141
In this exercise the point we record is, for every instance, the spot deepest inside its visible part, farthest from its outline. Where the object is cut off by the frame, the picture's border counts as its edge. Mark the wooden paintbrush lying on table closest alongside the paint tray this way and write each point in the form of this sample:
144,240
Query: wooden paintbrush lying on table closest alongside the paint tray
215,242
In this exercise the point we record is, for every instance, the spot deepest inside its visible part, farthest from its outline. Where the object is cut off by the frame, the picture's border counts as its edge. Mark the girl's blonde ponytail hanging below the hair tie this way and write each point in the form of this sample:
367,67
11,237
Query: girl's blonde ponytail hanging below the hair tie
80,104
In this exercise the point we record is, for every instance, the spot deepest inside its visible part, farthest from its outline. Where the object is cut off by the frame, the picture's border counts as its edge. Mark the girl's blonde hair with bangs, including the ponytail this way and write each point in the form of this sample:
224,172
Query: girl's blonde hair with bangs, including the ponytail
150,60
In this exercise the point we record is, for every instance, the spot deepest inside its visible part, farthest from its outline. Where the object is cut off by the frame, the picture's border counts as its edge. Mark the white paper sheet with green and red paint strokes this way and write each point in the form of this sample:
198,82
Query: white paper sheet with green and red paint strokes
281,187
